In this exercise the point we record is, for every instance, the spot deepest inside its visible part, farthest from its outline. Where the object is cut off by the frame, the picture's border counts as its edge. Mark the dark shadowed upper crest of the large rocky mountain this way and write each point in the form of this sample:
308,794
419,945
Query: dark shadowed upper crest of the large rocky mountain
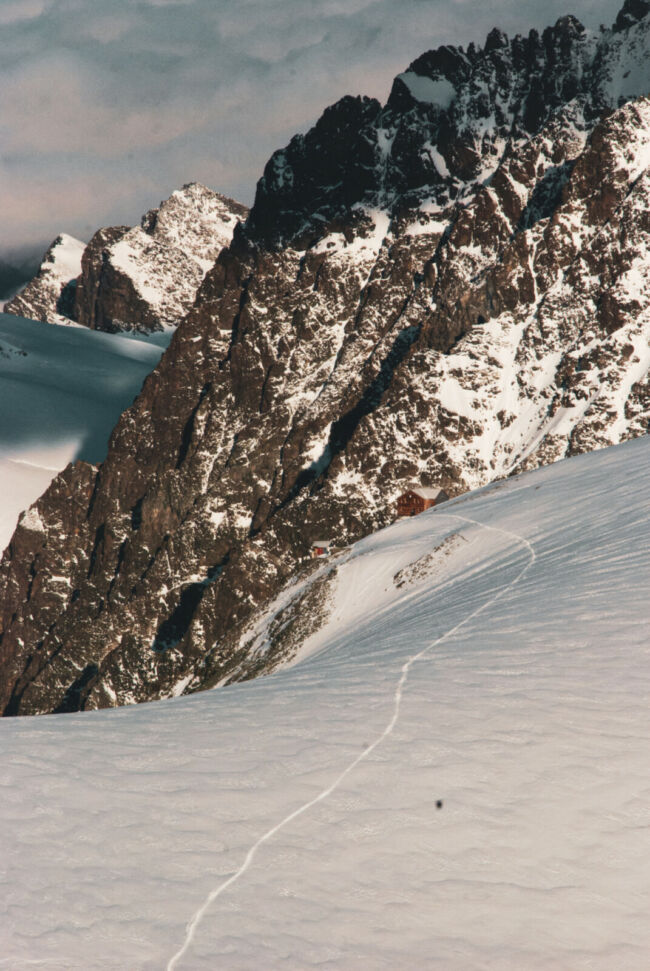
449,122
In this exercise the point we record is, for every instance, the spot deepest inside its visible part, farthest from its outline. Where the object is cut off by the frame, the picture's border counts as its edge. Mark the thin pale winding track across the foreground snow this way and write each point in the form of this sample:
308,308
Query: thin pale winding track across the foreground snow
397,700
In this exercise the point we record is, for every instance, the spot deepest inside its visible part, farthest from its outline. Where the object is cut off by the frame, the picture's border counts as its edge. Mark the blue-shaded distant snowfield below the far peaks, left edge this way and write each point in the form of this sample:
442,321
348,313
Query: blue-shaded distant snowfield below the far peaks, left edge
61,391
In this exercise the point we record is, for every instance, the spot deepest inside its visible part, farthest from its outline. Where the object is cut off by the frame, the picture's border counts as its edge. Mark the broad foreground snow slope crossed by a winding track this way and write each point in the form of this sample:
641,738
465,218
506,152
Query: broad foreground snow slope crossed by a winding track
491,655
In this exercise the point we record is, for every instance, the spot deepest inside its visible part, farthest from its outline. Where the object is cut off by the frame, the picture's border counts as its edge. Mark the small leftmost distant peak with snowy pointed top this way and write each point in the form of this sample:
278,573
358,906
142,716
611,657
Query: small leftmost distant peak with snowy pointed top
50,295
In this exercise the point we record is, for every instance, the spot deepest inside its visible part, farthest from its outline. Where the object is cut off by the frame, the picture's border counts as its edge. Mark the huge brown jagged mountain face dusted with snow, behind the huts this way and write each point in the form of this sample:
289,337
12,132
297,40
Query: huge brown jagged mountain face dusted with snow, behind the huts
452,315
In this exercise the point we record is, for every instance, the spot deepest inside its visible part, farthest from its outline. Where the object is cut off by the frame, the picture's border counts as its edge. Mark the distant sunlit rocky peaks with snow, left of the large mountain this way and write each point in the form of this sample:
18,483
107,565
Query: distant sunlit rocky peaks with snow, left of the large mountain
143,278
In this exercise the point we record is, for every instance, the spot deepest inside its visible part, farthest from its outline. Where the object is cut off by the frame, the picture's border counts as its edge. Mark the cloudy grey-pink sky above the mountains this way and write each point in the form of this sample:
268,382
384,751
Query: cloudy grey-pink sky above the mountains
106,108
